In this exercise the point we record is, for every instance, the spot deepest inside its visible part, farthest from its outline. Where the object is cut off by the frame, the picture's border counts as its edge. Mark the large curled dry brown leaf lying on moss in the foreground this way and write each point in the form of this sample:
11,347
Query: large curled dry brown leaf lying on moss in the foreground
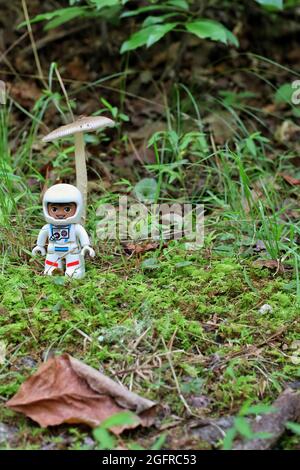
65,390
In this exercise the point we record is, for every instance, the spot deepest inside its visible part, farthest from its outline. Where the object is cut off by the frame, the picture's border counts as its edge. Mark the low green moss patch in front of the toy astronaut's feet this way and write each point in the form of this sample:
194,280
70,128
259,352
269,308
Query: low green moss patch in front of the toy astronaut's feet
195,314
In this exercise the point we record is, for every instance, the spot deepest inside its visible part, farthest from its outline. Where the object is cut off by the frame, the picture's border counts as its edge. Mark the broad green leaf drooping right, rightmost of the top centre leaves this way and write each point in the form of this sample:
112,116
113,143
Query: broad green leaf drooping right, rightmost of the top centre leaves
209,29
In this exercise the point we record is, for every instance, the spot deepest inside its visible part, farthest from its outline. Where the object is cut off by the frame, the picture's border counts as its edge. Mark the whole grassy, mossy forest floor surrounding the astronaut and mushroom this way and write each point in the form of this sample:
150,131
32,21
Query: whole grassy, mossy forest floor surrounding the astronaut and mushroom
204,333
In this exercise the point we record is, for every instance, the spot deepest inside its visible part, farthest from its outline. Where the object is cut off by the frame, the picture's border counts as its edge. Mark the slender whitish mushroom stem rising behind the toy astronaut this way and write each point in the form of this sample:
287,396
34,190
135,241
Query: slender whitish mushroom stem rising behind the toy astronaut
81,171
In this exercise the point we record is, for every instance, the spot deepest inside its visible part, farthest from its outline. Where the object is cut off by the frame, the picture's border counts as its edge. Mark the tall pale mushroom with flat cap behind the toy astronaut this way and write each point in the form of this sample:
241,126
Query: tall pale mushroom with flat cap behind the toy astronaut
77,128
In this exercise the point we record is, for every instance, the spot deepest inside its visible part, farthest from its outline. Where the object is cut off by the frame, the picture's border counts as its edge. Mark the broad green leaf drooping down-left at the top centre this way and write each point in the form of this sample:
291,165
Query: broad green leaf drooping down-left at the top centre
147,36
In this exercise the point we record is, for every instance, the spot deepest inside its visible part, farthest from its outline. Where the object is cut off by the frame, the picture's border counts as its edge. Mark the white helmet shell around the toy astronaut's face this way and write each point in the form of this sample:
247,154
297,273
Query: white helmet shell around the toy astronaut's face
60,194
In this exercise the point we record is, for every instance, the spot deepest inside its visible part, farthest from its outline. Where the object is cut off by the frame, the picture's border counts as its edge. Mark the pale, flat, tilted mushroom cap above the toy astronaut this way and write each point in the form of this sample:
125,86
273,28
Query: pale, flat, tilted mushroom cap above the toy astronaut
84,124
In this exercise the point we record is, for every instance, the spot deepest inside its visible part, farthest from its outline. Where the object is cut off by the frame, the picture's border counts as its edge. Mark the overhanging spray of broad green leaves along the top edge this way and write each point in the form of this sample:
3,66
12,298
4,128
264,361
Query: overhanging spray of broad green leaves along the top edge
154,27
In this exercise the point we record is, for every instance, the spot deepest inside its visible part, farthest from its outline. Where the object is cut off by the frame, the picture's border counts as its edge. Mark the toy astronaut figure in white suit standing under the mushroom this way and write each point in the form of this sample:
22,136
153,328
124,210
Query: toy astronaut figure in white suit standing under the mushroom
67,239
